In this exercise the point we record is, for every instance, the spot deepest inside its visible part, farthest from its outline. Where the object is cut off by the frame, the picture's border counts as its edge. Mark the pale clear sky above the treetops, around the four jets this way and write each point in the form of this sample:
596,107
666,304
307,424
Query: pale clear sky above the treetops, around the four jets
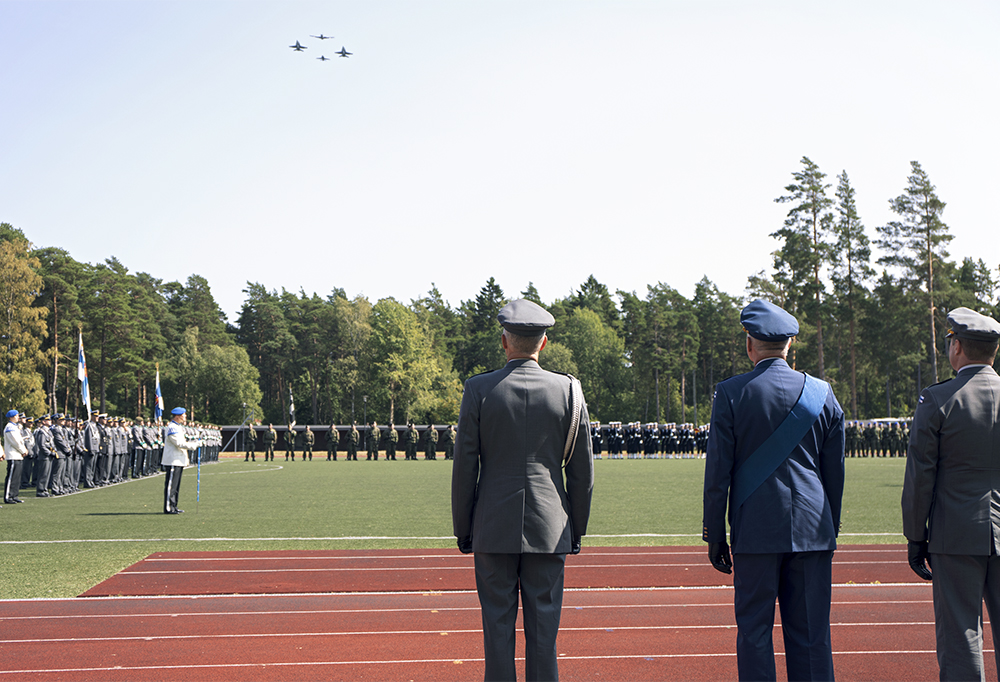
530,141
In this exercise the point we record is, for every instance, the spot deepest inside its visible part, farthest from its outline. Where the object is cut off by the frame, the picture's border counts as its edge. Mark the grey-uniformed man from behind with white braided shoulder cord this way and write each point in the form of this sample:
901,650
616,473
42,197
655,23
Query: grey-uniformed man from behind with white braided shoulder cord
513,504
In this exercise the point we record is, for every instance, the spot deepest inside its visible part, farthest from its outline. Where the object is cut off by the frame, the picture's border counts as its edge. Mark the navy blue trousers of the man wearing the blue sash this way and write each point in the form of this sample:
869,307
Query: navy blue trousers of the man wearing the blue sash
801,583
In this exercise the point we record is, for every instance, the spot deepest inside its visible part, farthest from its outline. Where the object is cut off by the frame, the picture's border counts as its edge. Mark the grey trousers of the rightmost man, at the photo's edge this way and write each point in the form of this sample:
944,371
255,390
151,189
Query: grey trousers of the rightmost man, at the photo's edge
961,583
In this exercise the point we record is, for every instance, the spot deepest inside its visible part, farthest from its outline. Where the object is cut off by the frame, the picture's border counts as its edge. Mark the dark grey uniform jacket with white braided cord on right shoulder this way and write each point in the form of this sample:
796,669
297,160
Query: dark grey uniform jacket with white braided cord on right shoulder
507,488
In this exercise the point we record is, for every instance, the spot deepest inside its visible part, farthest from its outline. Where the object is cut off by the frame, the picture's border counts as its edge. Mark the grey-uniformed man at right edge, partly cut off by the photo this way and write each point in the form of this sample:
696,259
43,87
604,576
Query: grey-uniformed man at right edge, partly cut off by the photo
951,495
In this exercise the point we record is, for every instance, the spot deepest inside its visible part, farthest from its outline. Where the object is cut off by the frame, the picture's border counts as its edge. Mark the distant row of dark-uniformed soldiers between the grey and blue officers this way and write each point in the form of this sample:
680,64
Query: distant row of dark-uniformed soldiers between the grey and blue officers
651,440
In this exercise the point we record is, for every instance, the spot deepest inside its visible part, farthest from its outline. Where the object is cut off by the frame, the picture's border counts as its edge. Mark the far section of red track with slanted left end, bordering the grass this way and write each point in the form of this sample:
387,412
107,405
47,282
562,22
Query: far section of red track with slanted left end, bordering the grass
309,571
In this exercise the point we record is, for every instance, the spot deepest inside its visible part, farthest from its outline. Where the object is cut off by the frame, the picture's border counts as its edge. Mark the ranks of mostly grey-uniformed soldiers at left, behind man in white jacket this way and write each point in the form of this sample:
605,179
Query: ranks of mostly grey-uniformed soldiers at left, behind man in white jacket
66,453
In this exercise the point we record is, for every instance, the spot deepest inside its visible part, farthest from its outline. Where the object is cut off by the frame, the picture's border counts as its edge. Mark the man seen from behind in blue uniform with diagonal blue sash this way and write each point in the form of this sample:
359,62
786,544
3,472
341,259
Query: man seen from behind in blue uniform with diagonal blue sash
775,470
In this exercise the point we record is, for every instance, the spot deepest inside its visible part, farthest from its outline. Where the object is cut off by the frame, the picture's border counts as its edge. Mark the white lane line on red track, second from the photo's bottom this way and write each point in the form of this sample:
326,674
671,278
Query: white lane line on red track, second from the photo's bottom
435,631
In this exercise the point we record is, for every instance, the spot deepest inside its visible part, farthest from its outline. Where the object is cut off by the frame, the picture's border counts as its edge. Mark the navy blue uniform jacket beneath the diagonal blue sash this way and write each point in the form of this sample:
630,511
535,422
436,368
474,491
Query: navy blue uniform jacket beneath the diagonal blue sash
797,509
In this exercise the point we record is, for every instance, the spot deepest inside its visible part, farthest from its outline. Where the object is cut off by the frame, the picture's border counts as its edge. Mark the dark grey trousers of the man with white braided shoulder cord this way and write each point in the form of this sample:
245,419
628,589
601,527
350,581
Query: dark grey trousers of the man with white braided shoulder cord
539,580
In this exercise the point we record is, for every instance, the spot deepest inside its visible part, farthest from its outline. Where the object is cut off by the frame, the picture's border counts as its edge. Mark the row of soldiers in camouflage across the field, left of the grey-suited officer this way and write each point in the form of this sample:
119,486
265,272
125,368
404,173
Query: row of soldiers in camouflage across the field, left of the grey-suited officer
376,439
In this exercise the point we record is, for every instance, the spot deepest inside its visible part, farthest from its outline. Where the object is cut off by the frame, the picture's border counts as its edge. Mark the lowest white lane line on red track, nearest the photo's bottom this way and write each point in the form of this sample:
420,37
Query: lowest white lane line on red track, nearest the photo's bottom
450,661
